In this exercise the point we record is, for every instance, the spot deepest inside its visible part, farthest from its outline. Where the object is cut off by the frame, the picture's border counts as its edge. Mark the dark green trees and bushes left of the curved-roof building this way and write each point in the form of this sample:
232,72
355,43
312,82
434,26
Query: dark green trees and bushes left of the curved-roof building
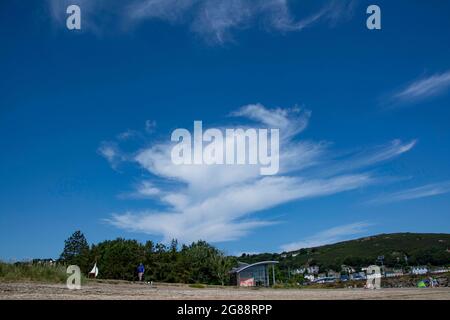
118,259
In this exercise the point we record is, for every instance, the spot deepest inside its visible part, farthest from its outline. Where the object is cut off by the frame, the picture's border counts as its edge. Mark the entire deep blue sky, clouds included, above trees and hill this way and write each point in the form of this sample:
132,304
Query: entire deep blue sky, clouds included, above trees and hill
85,117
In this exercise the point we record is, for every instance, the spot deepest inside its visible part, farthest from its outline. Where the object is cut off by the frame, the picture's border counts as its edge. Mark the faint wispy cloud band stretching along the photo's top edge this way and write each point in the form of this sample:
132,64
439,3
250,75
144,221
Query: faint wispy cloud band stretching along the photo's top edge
214,20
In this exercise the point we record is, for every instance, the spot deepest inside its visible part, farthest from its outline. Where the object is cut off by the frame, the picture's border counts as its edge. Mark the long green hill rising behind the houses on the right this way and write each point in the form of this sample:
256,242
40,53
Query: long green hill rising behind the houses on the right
419,249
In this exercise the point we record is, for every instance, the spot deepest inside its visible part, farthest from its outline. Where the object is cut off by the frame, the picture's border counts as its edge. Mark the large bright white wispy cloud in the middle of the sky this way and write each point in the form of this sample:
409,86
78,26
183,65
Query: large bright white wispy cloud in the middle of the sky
221,202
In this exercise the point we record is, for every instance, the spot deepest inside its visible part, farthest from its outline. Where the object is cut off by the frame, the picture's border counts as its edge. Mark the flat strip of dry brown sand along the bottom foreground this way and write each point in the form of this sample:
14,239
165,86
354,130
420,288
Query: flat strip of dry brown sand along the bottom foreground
135,291
